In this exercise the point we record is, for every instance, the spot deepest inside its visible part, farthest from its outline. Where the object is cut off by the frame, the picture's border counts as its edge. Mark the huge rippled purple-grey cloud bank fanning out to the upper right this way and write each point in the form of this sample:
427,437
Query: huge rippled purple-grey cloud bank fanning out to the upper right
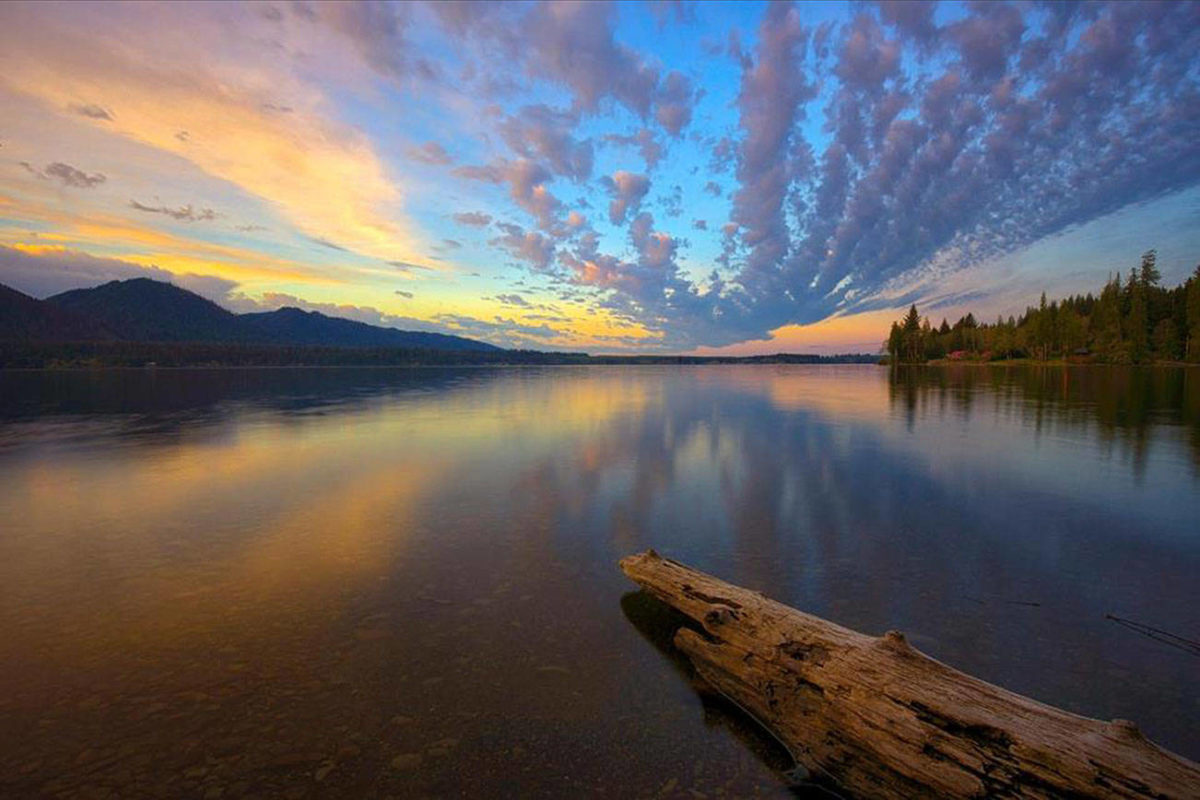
921,172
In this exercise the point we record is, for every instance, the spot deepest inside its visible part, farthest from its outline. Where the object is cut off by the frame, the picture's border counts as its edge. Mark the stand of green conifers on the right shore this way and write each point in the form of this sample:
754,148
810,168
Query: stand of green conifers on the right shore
1135,321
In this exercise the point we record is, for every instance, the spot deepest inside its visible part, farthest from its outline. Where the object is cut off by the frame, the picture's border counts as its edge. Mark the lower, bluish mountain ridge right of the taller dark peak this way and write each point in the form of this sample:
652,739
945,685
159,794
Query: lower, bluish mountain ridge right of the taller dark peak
297,327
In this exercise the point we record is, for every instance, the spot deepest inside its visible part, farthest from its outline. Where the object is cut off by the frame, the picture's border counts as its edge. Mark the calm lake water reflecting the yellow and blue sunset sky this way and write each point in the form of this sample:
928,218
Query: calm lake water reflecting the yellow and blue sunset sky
371,584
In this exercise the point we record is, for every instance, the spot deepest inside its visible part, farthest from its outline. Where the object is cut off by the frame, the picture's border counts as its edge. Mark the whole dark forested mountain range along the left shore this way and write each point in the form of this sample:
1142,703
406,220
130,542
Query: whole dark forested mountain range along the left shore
142,310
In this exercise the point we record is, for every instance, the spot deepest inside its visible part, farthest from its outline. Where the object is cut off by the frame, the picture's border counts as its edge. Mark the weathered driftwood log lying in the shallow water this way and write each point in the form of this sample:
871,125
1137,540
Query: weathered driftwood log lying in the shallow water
883,720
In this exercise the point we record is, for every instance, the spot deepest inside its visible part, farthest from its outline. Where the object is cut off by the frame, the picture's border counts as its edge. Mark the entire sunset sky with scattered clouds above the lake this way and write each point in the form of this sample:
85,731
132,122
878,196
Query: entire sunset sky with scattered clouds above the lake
641,177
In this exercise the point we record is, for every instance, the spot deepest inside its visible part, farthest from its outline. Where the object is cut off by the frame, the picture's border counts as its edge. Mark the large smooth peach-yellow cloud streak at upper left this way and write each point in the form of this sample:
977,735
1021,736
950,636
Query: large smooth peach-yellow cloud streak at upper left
175,71
